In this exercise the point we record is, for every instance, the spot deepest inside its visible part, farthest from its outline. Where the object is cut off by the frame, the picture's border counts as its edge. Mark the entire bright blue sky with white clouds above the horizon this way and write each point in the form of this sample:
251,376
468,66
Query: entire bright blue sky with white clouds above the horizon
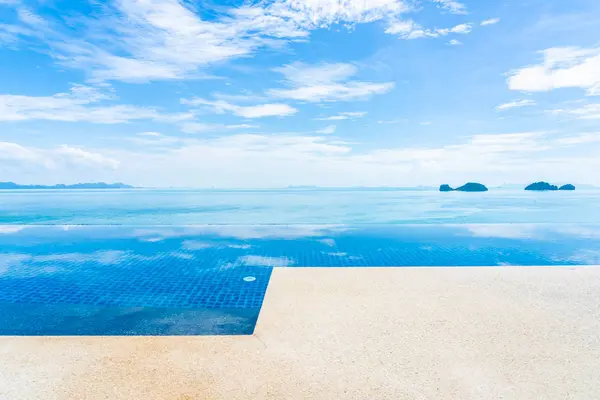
253,94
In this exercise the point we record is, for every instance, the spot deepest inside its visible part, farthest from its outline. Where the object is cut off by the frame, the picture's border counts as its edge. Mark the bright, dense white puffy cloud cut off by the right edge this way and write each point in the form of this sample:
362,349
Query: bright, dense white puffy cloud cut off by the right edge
562,67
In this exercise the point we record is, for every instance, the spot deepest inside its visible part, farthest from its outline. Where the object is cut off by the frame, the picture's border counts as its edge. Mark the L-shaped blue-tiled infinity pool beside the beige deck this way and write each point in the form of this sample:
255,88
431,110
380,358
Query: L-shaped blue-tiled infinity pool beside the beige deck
212,279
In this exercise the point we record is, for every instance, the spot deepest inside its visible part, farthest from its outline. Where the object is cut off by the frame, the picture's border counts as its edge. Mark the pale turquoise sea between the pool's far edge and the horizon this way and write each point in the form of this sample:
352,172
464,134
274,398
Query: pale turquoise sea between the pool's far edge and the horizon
191,207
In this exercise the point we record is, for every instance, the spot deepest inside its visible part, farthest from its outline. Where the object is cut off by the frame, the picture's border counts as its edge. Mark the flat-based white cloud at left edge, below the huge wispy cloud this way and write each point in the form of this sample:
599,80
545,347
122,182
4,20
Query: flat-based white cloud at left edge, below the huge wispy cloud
77,105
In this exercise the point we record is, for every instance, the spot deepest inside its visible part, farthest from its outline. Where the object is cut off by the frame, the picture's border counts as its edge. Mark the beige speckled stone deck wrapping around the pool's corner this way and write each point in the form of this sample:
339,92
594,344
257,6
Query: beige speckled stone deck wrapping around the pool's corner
350,333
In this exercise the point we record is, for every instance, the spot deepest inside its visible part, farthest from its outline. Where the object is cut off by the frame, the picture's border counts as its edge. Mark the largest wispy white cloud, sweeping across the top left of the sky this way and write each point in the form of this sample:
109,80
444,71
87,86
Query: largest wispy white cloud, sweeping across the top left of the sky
139,41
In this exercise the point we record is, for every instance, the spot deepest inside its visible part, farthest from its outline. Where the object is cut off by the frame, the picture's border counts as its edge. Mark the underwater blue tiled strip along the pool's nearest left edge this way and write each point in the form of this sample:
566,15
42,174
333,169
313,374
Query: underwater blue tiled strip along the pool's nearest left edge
61,319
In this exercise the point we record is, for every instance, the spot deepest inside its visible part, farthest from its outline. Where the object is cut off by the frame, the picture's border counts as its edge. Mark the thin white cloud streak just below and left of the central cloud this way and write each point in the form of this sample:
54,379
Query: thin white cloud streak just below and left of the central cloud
256,111
